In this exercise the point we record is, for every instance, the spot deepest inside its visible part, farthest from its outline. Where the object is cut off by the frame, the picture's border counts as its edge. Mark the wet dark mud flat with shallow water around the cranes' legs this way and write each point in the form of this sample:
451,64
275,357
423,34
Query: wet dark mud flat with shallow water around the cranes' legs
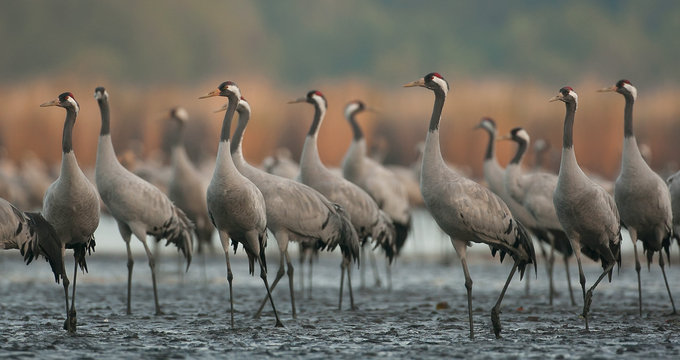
424,316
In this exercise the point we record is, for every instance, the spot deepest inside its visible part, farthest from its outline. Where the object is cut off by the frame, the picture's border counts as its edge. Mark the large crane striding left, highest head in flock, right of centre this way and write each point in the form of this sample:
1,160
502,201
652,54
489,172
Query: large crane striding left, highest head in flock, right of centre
467,211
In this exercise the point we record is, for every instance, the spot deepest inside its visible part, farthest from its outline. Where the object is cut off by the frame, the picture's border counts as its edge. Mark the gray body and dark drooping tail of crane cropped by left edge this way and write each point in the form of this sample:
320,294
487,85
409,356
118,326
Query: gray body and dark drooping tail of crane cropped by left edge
32,235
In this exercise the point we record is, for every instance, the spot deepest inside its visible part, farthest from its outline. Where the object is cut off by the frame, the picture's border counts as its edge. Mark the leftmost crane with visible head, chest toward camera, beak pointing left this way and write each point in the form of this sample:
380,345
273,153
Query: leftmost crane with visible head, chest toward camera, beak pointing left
71,204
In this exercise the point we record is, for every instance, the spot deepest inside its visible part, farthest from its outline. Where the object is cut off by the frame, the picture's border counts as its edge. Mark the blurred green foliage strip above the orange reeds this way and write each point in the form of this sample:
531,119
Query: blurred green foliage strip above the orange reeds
301,41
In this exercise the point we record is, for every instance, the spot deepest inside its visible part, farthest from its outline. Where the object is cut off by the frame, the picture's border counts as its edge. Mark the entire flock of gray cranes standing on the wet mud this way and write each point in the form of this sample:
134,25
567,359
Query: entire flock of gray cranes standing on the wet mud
319,209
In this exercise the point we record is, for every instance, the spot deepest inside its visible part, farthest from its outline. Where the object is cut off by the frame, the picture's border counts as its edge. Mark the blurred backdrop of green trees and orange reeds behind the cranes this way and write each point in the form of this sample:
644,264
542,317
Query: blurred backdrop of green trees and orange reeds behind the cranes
502,59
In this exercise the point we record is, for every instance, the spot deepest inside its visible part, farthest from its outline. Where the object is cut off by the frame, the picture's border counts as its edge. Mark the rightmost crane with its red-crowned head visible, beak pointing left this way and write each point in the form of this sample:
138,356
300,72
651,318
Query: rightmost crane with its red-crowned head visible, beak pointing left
641,195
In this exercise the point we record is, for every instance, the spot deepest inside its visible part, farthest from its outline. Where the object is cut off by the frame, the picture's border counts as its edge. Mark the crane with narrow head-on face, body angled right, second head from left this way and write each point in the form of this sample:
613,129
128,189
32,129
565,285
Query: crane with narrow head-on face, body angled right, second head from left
138,207
